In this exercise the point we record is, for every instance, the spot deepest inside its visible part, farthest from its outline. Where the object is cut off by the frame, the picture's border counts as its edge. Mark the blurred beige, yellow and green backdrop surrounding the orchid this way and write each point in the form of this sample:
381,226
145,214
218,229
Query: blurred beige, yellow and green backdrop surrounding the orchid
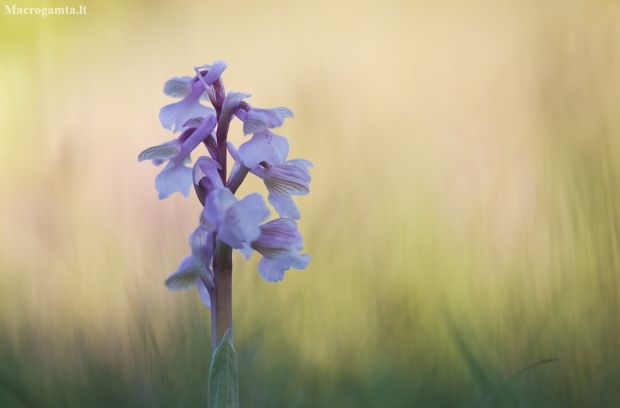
463,221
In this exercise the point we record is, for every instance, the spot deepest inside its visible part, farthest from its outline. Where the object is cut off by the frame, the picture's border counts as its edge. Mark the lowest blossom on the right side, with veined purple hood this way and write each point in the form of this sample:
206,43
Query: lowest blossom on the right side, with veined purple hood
279,243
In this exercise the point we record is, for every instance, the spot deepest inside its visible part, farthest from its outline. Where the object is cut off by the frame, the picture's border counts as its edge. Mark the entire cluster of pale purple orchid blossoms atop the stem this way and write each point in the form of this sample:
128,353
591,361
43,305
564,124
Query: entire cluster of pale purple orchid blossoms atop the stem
225,219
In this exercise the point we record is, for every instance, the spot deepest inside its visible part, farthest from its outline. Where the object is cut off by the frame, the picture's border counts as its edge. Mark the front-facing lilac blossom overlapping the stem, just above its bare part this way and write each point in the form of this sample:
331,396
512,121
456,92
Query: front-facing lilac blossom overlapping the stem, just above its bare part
235,221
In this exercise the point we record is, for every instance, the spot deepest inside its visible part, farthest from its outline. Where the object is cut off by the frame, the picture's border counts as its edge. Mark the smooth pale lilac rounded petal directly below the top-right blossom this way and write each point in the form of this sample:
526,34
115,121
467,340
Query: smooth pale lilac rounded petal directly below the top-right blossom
264,146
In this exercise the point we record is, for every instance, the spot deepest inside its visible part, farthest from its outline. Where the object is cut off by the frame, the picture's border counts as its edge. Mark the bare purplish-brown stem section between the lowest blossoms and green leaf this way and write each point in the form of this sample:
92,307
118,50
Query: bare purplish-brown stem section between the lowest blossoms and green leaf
221,305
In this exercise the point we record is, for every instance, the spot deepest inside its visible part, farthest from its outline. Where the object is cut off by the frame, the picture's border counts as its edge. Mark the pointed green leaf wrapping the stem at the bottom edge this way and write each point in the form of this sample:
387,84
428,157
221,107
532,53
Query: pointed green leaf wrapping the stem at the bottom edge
223,383
